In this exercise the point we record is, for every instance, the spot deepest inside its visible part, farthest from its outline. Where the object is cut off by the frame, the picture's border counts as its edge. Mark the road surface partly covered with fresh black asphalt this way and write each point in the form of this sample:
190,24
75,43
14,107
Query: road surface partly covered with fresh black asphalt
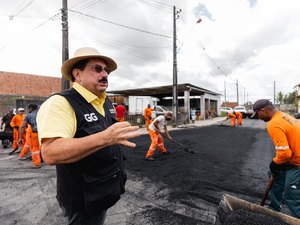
179,188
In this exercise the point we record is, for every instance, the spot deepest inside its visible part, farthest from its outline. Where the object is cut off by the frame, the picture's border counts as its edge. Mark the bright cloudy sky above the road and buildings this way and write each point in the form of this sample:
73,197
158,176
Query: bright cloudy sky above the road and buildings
250,44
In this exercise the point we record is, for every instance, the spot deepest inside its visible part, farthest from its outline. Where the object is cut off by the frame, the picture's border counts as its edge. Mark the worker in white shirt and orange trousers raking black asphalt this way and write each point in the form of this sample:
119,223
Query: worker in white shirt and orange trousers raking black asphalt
154,131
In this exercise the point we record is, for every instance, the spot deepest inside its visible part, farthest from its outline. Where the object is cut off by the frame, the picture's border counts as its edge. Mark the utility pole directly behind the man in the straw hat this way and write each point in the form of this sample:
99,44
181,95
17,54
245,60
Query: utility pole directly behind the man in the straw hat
65,84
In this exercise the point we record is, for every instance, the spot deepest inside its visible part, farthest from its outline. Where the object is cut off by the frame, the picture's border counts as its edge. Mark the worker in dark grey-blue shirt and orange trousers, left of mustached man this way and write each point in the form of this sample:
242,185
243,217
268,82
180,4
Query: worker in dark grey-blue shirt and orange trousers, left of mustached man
35,146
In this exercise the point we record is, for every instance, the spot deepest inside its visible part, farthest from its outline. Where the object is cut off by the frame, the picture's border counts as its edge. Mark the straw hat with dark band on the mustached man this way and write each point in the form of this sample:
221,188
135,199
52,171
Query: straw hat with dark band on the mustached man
85,53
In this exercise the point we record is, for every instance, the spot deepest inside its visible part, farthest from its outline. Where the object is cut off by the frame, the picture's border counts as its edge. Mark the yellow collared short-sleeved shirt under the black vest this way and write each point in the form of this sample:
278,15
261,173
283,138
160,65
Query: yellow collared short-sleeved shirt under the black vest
56,117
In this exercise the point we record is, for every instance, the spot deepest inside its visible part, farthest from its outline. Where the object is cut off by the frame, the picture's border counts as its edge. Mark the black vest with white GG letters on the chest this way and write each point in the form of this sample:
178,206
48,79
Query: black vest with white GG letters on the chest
96,182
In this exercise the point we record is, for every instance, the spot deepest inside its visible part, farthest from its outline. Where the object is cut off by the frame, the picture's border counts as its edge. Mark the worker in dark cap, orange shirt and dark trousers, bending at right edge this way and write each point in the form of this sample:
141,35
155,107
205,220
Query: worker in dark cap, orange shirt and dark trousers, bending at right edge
284,131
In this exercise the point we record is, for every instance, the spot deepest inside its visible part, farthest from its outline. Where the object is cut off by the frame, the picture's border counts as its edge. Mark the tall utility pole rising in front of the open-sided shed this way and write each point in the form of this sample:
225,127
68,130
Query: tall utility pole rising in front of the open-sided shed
175,87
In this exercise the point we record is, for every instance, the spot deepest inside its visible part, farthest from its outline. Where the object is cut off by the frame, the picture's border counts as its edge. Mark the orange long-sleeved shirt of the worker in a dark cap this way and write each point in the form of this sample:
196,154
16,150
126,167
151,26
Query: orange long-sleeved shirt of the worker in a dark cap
285,133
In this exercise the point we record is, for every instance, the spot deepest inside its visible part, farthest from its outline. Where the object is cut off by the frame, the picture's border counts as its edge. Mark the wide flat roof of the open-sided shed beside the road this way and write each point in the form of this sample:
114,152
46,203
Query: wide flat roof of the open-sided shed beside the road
163,91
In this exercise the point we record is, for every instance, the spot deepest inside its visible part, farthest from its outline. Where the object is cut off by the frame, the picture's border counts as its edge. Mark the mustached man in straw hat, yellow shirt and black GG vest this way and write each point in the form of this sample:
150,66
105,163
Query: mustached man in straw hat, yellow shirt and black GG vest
80,135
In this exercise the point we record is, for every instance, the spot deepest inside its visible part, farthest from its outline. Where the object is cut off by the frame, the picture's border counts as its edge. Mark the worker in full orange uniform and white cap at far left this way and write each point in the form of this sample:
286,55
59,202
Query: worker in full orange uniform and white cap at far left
16,123
